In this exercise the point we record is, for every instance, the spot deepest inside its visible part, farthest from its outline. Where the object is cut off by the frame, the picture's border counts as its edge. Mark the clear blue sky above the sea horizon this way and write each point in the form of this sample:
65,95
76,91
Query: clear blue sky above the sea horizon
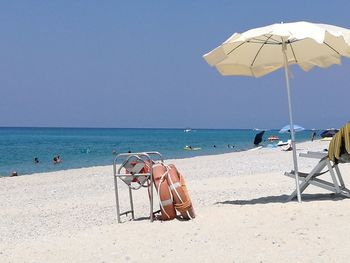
139,64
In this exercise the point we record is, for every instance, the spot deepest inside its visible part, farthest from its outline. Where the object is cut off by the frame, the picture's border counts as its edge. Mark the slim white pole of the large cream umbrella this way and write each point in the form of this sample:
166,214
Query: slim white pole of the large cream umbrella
284,47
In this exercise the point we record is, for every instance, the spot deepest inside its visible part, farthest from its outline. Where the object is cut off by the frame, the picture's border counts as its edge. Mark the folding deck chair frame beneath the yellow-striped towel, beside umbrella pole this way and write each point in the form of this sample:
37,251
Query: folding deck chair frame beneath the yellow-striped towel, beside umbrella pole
336,184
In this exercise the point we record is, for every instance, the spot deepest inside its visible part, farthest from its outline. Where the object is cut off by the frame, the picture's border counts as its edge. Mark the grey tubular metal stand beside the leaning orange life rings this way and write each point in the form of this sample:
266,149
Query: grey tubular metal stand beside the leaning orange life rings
136,172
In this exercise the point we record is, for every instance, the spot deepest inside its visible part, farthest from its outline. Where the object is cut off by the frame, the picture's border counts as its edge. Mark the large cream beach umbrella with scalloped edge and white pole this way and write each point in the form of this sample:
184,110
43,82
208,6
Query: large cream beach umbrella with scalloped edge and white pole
263,50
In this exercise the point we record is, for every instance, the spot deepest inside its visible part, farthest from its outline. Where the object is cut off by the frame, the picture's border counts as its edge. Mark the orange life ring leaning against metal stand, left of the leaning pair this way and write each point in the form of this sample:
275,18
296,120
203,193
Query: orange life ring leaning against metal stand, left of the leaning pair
167,208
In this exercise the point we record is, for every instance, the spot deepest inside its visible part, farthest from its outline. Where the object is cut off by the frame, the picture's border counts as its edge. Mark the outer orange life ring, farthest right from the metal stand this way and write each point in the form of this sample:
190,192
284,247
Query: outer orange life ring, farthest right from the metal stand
178,189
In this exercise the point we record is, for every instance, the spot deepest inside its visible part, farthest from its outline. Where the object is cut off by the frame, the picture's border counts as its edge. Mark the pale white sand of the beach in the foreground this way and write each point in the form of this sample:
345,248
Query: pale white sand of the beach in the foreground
239,199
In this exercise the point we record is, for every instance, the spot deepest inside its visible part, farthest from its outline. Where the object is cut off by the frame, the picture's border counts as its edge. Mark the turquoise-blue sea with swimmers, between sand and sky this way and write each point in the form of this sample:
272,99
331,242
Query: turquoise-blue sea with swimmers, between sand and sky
86,147
